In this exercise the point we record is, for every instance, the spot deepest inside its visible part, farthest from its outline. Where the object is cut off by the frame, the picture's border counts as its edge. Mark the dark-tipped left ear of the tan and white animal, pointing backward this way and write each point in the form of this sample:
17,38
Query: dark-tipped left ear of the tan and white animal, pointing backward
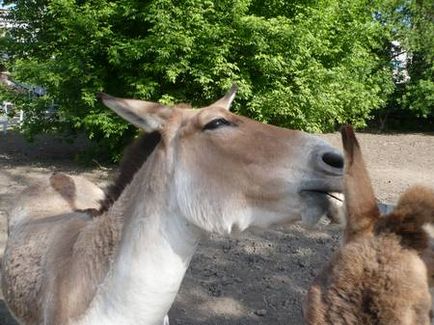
148,116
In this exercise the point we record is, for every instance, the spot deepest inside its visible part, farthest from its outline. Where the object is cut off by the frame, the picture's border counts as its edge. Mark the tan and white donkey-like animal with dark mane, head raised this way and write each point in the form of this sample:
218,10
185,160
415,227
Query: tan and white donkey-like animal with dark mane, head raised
207,170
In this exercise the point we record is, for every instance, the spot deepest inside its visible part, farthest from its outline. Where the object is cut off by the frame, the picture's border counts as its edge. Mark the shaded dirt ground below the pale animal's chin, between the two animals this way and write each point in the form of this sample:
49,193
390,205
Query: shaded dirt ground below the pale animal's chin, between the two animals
260,277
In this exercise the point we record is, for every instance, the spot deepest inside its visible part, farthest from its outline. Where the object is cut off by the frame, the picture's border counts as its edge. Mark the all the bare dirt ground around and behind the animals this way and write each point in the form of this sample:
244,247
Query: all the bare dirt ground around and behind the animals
259,277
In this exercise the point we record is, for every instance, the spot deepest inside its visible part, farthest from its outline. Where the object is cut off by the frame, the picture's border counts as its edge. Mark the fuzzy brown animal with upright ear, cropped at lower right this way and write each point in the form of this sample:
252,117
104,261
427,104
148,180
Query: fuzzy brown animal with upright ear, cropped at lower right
378,276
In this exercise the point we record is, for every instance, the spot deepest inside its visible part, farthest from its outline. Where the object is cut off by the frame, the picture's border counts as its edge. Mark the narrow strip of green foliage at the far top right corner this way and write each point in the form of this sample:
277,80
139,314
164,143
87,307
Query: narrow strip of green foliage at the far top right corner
412,24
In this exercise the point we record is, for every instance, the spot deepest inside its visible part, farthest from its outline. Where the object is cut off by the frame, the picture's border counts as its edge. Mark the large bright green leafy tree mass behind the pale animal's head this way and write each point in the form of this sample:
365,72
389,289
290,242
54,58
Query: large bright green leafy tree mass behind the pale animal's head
310,64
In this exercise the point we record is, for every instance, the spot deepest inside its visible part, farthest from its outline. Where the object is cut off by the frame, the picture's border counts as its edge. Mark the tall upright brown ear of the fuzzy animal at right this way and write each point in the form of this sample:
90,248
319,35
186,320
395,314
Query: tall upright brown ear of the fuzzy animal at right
361,206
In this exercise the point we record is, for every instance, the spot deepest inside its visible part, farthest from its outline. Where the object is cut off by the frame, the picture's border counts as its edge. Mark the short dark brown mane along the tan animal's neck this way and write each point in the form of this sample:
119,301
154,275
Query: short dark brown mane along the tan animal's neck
133,158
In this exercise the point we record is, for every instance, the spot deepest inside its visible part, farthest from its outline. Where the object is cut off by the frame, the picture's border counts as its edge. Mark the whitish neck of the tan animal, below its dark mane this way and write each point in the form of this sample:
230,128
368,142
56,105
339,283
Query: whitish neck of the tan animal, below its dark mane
154,252
